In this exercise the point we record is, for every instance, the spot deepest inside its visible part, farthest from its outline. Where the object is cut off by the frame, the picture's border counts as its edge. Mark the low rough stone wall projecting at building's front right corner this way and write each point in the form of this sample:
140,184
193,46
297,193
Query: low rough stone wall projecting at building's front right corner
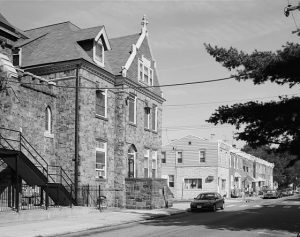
147,193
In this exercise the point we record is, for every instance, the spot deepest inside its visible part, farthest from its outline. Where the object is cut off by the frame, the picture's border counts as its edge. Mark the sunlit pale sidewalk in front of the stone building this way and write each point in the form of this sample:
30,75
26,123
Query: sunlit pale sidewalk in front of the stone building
79,219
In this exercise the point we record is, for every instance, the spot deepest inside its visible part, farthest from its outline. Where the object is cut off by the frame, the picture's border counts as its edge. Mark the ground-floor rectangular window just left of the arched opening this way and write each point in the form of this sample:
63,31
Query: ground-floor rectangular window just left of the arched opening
101,159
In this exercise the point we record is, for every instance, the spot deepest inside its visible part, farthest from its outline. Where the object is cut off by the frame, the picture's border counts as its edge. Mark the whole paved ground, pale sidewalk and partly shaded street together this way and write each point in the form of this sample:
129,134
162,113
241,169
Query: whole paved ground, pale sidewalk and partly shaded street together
256,217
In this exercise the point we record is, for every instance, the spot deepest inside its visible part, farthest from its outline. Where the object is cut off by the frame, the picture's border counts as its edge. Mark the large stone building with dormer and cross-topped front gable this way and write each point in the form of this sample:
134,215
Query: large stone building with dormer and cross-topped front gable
88,103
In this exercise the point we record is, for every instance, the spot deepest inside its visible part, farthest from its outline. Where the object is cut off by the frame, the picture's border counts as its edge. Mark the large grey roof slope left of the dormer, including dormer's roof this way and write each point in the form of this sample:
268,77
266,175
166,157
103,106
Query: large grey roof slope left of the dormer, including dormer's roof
57,43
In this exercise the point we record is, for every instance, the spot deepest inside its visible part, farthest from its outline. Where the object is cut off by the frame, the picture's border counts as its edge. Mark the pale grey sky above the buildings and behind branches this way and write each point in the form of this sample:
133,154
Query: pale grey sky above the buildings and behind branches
177,32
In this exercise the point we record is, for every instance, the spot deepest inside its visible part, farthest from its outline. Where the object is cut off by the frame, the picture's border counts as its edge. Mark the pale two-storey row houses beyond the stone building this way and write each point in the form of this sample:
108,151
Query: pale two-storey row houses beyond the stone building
193,165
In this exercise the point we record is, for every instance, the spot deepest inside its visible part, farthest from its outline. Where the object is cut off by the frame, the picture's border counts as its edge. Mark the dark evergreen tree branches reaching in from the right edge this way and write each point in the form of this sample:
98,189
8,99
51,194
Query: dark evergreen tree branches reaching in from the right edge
274,123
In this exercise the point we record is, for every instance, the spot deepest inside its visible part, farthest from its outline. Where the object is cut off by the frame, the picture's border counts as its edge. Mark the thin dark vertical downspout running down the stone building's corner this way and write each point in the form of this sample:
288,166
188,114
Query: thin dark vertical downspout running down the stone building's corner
76,134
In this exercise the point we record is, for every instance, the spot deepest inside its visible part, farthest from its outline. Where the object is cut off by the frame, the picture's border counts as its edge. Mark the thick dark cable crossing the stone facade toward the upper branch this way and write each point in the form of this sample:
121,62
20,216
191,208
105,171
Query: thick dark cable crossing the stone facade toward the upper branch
134,87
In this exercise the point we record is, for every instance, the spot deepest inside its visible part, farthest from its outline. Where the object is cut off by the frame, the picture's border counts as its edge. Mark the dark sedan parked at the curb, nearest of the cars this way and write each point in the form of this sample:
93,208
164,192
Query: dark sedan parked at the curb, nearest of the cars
208,201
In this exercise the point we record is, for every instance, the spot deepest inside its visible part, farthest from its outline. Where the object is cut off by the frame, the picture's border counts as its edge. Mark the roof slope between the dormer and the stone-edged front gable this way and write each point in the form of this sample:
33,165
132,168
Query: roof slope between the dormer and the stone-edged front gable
121,49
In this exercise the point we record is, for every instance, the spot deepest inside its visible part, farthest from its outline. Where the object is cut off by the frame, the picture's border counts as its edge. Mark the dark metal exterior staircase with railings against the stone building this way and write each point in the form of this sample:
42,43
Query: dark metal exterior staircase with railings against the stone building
22,160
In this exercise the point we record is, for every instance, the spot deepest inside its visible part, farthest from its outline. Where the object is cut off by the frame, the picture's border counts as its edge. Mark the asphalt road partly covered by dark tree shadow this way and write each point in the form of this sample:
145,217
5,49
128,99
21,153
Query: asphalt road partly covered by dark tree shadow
261,218
